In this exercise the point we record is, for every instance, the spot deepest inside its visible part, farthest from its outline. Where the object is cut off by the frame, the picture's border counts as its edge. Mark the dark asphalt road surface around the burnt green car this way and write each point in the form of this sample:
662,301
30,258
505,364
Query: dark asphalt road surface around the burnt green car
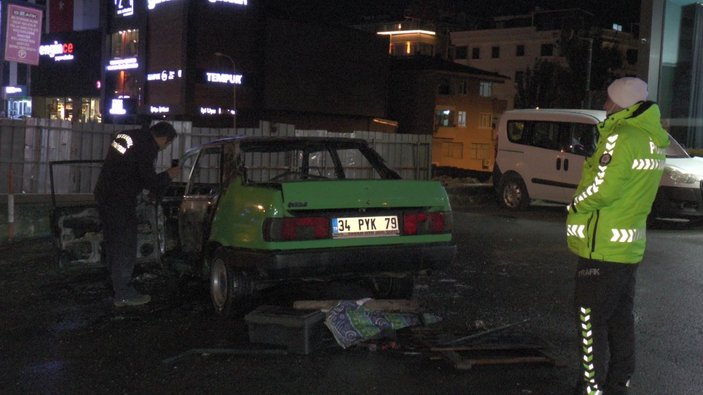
60,333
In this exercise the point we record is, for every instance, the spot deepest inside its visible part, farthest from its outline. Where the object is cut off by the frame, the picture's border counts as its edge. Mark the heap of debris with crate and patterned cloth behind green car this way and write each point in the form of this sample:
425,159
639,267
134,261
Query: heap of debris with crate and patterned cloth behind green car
383,325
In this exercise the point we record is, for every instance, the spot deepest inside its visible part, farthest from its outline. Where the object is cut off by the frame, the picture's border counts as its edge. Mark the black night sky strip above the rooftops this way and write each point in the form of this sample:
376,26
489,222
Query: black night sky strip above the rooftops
624,12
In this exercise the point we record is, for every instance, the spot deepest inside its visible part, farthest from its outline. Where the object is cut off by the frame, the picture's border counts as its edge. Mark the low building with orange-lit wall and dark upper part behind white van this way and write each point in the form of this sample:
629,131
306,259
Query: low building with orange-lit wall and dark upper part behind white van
455,103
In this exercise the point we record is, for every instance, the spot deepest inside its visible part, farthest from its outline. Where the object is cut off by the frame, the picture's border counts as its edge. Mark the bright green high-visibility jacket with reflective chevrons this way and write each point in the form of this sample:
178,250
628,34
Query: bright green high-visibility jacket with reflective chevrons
608,215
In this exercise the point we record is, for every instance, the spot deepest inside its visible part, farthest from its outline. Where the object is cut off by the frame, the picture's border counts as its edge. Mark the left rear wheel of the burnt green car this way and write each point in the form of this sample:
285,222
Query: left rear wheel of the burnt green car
231,290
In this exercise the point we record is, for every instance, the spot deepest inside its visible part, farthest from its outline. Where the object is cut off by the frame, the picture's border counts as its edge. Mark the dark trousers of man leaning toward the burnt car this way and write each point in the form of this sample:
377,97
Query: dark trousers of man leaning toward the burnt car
119,224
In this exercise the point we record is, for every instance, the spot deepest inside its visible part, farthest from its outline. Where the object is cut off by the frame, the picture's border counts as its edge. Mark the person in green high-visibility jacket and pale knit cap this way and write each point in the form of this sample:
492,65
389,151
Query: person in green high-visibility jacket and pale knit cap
606,228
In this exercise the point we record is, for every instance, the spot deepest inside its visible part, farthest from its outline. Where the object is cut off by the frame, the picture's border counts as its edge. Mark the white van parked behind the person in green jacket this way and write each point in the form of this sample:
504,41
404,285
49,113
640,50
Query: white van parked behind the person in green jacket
540,155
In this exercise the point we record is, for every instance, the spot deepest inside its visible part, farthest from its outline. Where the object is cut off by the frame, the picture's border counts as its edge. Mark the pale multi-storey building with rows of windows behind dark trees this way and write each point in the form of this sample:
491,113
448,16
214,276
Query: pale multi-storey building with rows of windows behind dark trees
512,45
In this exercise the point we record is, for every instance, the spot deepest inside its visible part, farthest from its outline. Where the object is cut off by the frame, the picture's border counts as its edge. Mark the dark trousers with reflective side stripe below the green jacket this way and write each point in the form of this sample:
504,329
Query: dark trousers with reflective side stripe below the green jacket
604,299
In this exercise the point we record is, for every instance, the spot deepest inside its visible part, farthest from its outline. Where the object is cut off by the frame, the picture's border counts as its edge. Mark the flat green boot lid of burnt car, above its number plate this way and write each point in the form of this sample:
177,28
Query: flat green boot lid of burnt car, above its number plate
344,194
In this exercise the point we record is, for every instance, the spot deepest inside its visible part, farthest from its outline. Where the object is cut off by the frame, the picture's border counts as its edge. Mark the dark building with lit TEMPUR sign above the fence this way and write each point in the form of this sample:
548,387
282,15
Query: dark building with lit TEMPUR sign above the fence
232,62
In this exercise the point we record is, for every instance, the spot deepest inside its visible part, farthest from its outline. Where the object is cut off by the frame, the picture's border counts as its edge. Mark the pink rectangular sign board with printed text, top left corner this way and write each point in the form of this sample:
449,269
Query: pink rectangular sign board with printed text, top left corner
22,34
